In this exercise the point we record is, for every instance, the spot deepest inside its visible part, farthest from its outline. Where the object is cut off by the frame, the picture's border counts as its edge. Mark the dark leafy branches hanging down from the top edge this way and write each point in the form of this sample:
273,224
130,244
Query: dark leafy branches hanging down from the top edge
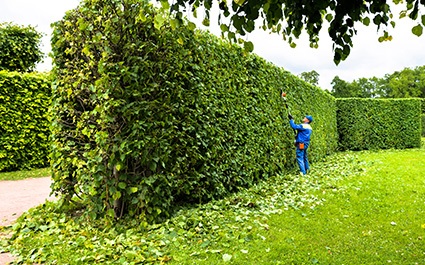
289,18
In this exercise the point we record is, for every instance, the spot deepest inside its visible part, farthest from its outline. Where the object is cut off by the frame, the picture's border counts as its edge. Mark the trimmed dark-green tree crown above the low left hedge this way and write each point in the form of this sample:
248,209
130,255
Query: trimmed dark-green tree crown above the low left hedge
19,48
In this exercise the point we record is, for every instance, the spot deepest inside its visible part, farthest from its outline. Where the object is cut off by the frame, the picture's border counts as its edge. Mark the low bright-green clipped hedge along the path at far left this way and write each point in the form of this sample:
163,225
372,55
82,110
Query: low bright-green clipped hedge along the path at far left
24,120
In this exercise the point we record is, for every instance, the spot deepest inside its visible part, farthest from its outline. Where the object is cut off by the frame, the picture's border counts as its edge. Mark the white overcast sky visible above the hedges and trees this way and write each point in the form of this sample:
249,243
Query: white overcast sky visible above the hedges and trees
368,57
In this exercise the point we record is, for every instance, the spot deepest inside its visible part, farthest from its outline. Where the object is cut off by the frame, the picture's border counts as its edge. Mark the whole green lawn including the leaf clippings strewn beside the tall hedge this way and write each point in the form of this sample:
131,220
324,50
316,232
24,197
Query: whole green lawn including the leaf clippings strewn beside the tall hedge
354,208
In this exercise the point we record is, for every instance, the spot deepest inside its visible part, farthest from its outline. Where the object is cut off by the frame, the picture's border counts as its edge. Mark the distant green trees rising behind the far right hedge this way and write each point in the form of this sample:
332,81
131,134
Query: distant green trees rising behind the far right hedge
406,83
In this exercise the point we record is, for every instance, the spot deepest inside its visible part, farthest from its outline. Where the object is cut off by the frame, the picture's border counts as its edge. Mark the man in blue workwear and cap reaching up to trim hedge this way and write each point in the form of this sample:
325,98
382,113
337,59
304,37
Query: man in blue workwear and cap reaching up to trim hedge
302,141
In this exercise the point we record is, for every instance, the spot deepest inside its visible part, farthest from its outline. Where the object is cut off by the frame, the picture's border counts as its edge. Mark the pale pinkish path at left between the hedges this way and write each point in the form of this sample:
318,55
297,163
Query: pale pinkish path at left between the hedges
18,196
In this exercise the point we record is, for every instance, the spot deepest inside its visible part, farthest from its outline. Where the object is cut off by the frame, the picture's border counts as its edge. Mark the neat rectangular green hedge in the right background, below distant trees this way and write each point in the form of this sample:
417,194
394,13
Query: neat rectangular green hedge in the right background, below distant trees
378,124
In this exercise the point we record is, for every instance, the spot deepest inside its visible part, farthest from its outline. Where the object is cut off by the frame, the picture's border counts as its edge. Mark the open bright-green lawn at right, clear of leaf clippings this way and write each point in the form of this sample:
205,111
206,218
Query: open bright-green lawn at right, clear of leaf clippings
376,219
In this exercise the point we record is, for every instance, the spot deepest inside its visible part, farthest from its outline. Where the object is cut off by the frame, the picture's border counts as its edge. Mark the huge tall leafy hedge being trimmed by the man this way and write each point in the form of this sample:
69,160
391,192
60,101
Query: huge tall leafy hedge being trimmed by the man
146,116
